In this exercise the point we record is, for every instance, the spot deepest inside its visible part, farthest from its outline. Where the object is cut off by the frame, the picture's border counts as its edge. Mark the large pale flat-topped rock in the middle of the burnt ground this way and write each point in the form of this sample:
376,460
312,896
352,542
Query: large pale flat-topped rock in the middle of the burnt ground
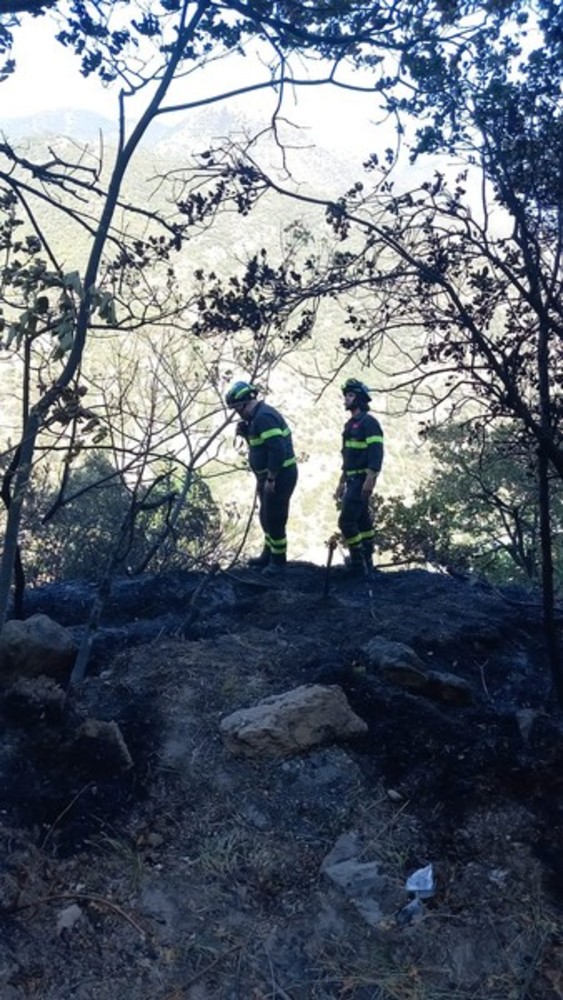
291,722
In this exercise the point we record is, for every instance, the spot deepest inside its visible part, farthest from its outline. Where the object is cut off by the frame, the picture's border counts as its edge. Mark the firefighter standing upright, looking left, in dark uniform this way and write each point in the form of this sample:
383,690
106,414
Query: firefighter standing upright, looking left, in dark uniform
362,458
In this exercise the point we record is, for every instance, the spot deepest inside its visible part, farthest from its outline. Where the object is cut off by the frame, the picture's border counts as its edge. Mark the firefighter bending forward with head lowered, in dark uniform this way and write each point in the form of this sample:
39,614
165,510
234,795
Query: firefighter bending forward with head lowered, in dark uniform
272,460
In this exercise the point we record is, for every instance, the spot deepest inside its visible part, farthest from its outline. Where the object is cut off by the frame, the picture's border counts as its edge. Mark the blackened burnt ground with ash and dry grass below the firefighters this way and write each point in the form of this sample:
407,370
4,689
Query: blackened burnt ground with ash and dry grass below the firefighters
195,875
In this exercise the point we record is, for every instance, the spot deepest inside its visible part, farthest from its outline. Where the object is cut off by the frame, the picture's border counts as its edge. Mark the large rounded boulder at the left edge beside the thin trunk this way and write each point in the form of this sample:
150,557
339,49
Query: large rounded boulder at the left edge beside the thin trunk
35,646
